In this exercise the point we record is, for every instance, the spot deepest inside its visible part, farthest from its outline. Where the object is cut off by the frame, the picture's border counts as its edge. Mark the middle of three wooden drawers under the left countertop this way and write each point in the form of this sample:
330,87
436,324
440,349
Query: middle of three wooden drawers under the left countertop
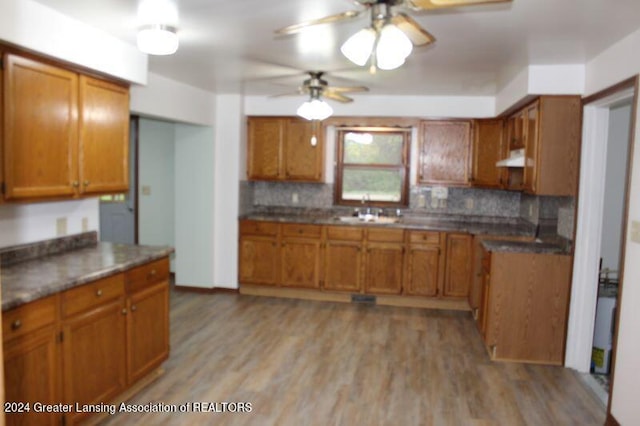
92,294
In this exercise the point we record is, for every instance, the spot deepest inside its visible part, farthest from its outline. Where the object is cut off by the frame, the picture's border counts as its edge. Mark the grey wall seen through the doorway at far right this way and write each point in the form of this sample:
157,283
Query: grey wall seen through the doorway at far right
615,180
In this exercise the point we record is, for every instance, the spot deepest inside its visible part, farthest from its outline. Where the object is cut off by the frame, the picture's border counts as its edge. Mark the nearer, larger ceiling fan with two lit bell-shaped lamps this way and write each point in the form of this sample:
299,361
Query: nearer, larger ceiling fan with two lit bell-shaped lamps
389,39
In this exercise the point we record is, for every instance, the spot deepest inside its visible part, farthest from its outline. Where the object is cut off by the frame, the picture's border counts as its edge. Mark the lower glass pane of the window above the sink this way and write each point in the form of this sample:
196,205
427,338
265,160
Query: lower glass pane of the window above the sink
379,185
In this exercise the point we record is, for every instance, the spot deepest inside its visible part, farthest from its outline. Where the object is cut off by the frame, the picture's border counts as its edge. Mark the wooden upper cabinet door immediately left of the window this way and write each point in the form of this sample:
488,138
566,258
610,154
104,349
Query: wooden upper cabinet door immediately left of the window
303,160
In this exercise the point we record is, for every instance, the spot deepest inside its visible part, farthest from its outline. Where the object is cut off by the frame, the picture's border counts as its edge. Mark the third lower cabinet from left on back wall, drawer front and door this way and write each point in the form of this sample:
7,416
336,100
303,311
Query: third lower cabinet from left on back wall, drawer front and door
342,268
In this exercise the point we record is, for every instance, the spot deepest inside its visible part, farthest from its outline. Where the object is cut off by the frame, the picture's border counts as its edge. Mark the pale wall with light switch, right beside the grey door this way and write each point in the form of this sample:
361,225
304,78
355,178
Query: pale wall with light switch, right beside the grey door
156,176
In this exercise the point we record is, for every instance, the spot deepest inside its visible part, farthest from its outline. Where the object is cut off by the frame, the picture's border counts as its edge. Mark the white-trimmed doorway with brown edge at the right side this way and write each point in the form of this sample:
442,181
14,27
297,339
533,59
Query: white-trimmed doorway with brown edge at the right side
601,218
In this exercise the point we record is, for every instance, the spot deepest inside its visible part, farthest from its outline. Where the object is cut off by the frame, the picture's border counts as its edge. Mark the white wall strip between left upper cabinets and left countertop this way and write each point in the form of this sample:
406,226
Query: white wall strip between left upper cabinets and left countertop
22,223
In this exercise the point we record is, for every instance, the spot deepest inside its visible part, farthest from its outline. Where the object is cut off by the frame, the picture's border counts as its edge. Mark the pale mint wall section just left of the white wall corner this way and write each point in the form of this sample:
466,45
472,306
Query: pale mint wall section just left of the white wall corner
194,205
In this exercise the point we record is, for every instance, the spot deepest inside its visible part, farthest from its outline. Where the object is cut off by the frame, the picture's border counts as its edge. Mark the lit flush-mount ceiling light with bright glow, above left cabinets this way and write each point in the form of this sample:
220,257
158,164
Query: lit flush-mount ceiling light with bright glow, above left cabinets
157,31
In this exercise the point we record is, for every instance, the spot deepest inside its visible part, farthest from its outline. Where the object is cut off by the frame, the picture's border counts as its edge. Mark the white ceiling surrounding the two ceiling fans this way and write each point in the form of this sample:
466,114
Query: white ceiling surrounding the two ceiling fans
229,46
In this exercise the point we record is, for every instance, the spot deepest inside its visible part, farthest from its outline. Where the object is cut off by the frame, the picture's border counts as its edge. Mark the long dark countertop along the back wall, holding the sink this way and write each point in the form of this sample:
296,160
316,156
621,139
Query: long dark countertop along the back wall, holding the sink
476,225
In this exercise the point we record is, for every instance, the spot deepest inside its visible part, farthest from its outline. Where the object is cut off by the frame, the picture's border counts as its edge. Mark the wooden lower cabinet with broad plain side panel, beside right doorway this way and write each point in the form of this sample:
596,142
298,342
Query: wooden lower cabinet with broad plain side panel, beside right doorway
525,304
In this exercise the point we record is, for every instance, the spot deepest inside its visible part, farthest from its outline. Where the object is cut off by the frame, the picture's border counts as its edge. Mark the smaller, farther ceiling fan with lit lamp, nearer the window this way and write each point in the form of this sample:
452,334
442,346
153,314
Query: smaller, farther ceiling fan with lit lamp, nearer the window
317,87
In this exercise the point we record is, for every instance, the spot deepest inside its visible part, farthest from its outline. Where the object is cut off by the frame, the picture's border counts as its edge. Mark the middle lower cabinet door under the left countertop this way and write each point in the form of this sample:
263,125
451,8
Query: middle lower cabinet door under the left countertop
94,356
